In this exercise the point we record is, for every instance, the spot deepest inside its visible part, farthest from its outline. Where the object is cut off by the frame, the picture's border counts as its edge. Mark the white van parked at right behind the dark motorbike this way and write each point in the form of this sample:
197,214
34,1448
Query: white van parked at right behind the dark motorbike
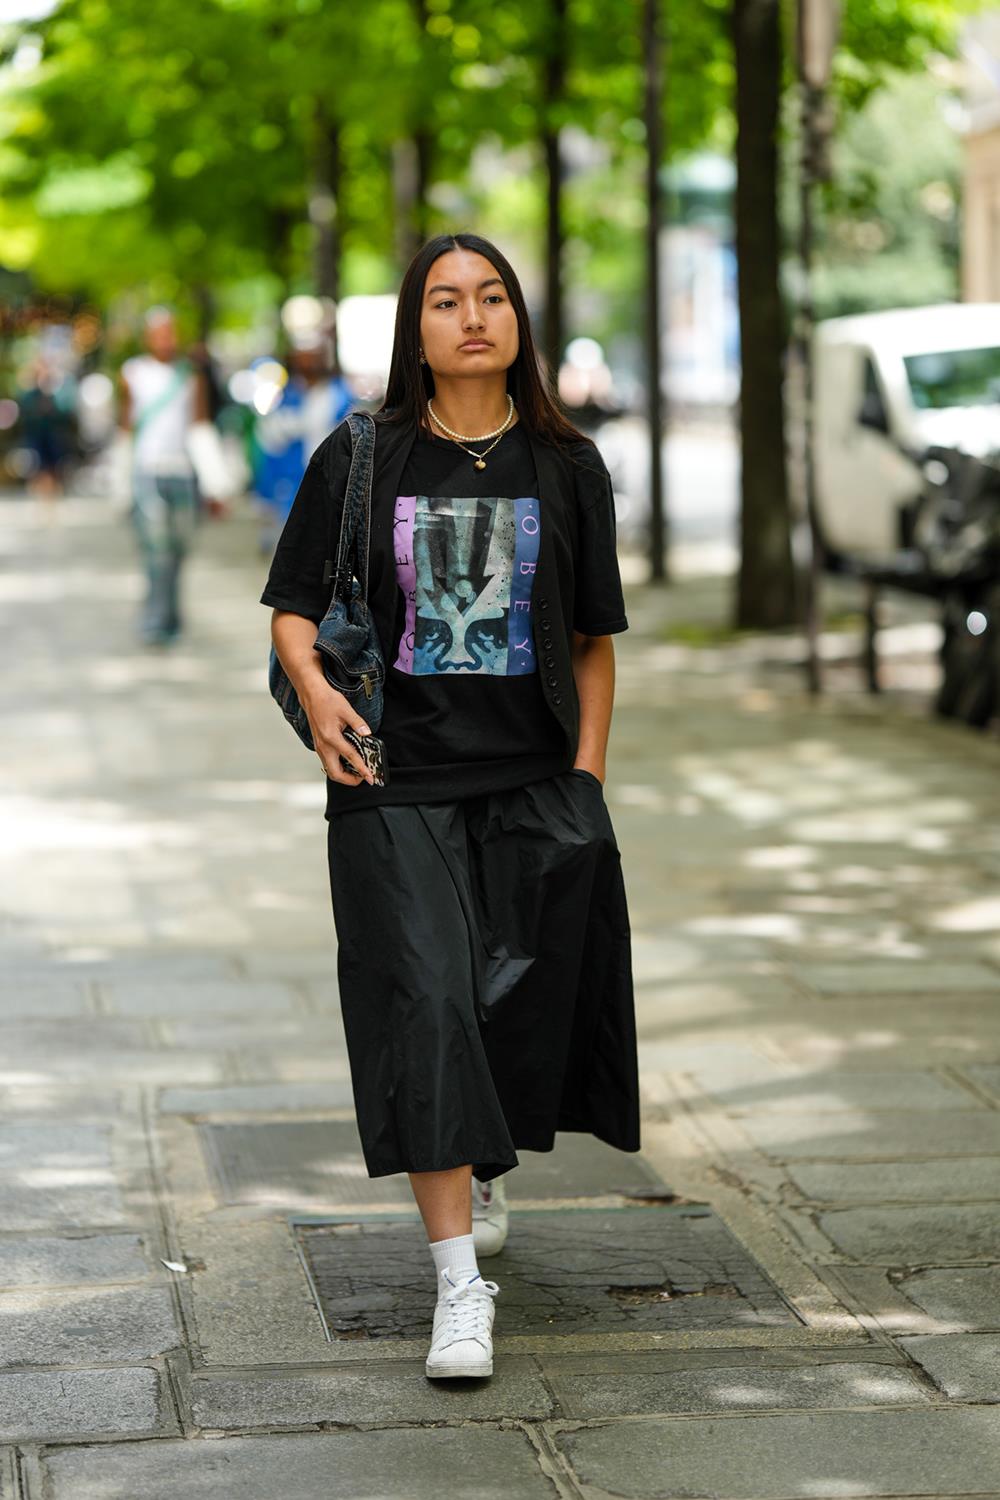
887,388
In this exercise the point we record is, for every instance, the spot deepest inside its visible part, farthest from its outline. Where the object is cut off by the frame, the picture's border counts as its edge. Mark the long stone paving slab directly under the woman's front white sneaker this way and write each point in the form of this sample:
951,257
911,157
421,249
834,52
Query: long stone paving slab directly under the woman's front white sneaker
391,1393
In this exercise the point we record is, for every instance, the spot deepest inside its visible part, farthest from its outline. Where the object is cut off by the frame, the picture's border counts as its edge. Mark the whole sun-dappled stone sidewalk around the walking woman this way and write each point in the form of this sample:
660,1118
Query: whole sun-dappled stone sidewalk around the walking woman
792,1292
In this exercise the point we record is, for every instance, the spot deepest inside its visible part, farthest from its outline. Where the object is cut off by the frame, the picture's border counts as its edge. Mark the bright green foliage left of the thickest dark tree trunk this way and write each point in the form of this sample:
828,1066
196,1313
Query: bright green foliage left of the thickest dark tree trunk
160,142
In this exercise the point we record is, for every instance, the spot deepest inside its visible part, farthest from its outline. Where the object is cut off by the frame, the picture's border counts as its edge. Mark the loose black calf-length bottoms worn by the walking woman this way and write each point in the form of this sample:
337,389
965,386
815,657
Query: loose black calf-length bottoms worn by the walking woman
485,973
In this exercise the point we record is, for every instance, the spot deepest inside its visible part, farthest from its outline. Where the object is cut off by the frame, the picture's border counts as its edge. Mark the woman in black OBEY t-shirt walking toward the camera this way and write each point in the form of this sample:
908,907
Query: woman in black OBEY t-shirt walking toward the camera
484,938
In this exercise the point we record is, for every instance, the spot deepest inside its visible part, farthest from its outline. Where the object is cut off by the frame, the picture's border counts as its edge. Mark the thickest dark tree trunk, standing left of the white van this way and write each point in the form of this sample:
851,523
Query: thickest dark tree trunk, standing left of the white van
767,581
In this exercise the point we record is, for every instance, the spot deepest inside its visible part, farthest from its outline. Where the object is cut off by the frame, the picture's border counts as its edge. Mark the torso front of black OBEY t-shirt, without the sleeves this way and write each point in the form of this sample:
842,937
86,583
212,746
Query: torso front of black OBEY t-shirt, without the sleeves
464,709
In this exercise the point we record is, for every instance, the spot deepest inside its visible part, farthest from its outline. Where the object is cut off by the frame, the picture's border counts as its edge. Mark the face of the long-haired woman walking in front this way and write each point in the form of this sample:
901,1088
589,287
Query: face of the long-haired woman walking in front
466,299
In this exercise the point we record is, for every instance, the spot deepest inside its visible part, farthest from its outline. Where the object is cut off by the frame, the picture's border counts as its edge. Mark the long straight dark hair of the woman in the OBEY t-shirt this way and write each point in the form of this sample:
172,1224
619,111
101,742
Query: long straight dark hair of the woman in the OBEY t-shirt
410,383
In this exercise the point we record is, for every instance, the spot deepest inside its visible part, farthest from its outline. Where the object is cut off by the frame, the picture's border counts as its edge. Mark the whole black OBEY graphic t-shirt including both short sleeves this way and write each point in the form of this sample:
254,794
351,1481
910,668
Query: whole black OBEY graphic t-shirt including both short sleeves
452,587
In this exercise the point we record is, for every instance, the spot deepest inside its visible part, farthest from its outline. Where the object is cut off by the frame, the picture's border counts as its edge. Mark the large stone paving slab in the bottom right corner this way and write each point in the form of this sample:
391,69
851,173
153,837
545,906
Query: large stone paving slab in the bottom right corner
791,1457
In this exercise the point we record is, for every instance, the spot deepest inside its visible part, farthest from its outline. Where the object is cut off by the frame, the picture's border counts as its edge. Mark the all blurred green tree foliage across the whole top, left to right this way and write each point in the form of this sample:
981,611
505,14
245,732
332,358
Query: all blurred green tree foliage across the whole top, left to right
157,145
